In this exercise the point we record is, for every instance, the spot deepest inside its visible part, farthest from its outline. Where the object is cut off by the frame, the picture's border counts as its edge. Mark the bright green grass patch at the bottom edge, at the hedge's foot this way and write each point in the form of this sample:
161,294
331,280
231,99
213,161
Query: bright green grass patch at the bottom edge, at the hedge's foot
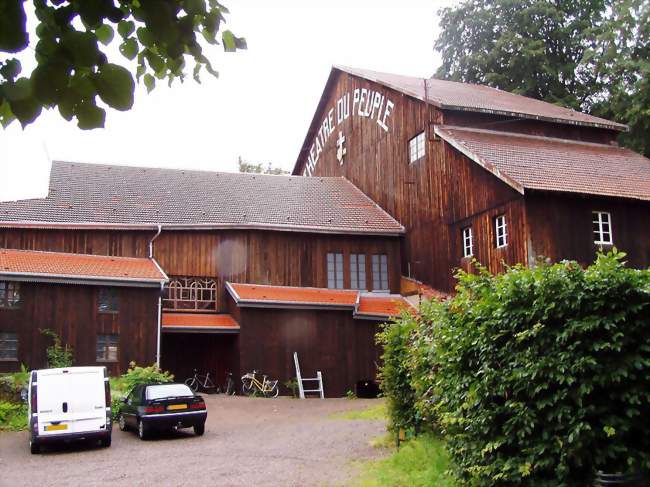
418,463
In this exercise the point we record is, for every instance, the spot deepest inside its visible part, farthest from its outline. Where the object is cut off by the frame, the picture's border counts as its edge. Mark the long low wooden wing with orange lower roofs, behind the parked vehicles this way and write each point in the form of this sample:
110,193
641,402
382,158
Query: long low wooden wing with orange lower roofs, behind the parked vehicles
214,271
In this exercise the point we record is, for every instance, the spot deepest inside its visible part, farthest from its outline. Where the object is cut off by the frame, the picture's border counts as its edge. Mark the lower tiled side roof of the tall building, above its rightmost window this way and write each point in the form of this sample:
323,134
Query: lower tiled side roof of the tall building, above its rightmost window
550,164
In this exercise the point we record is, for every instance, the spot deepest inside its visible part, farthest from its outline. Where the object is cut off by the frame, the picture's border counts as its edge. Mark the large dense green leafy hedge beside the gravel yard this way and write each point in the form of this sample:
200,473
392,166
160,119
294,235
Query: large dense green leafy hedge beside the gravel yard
535,377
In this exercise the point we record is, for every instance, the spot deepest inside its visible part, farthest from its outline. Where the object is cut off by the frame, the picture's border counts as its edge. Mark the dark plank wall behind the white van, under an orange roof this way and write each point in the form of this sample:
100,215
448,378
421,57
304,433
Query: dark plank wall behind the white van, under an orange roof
71,311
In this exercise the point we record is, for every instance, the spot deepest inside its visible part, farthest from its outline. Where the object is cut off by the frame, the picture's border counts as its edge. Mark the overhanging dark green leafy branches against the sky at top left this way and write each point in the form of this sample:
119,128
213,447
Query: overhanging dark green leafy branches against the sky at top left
73,67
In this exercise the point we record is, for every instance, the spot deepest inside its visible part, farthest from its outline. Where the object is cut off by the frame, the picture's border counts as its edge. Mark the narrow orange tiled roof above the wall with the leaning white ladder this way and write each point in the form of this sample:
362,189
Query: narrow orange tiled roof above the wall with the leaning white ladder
255,293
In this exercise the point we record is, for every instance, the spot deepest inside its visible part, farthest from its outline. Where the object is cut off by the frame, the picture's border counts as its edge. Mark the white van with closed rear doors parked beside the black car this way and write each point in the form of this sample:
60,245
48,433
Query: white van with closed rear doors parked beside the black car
69,404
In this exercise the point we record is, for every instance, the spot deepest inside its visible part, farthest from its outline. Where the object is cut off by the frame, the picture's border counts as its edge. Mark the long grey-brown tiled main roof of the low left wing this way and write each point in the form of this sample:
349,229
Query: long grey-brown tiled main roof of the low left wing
104,195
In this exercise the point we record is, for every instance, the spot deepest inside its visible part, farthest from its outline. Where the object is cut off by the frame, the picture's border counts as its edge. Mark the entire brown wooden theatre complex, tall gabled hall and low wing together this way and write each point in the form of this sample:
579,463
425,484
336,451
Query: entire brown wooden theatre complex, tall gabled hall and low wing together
399,182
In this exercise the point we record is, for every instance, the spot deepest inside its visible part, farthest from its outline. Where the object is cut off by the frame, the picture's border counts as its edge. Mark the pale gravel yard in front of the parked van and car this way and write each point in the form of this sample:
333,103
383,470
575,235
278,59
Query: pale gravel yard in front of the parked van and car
247,442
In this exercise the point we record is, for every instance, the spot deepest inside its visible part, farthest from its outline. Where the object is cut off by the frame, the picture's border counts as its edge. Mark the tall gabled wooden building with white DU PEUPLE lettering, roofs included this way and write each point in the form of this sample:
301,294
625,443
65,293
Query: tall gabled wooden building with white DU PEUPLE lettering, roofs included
475,172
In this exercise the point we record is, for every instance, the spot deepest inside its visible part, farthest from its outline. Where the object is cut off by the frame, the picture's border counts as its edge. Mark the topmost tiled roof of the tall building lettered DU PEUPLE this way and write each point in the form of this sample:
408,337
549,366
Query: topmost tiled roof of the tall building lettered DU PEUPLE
453,95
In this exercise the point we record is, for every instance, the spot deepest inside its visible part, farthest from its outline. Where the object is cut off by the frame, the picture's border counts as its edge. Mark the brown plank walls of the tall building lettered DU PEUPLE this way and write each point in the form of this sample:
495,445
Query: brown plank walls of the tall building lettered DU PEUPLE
443,192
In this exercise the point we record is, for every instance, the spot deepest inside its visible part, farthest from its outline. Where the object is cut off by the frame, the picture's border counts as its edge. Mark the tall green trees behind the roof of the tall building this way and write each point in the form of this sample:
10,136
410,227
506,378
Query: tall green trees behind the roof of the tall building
590,55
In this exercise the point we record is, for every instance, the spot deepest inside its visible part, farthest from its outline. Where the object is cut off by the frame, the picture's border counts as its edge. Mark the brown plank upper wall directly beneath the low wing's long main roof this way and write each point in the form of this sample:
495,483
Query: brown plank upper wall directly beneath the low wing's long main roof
249,256
